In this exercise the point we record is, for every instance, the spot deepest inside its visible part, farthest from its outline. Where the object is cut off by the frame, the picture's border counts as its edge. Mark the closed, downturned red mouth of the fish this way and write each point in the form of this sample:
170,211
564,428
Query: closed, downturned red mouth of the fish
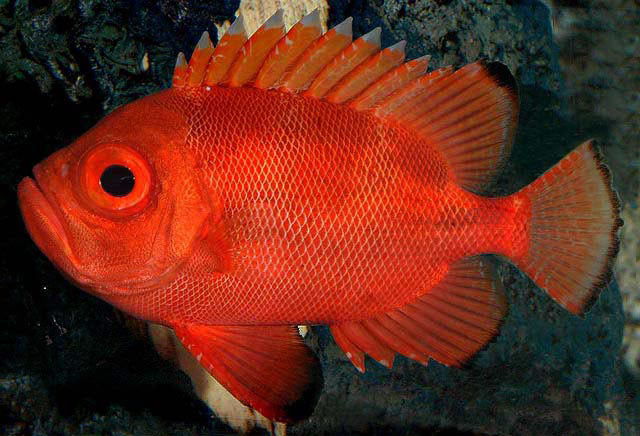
44,223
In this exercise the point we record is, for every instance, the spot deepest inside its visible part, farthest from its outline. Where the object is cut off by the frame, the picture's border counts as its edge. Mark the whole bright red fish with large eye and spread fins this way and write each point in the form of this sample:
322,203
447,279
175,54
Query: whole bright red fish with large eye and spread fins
305,178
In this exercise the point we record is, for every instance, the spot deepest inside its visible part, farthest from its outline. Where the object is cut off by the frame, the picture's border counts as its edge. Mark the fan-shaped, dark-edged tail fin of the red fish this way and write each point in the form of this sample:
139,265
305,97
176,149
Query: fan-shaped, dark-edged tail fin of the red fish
573,228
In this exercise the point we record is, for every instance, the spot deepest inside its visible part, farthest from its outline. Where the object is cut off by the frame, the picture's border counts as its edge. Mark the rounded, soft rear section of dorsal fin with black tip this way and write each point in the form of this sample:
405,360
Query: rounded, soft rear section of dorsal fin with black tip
470,116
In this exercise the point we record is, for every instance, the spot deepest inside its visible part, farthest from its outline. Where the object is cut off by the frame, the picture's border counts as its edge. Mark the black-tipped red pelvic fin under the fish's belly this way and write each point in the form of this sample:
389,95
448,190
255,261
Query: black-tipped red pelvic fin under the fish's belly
268,368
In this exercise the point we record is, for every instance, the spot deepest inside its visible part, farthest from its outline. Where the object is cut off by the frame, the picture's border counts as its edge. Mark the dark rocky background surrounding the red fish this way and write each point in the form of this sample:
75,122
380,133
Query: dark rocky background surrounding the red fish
71,364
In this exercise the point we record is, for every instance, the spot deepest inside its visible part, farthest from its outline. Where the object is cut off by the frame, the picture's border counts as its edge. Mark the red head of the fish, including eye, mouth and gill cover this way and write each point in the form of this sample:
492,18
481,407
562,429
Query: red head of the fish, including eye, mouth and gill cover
120,210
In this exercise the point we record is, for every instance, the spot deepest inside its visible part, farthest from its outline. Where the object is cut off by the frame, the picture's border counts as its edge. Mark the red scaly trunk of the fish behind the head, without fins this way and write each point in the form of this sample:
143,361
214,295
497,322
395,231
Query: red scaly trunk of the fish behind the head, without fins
331,216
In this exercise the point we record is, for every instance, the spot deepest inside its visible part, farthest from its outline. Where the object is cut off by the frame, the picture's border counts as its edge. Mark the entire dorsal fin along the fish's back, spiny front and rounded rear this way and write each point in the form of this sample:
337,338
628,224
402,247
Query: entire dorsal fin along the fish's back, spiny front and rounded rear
469,115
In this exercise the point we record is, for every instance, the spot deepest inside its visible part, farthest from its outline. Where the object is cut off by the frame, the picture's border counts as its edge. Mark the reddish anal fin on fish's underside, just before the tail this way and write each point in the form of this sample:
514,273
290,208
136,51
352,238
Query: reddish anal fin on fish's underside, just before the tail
449,323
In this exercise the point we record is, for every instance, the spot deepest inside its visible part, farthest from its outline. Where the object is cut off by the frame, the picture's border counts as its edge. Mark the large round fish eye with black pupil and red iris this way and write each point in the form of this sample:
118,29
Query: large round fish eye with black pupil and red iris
115,180
